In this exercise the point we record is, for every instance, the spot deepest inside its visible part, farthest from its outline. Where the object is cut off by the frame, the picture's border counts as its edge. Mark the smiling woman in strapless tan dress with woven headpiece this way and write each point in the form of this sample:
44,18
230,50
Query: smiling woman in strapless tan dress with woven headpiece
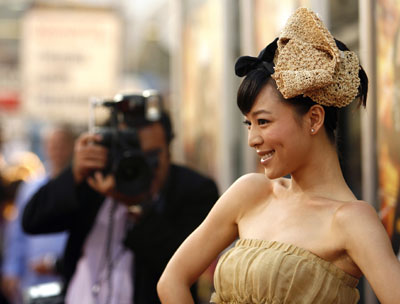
306,239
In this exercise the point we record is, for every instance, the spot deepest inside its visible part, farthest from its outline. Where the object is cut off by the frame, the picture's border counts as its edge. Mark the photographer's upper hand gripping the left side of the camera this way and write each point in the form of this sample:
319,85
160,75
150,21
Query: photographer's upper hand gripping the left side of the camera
88,156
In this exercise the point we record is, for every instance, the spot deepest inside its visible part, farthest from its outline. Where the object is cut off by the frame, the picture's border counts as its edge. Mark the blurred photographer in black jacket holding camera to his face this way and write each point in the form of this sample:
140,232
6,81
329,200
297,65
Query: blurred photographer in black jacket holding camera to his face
125,217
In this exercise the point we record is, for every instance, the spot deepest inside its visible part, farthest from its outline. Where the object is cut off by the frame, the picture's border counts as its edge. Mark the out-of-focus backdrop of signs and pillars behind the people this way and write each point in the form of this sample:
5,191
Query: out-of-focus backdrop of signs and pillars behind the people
56,55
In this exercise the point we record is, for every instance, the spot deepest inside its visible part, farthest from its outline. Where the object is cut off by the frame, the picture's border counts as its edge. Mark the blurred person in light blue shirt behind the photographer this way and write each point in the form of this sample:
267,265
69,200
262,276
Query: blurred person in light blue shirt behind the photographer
30,260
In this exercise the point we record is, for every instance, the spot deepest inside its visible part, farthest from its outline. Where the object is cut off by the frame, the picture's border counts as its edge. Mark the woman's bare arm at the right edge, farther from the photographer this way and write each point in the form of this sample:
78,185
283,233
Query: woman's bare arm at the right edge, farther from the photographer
368,244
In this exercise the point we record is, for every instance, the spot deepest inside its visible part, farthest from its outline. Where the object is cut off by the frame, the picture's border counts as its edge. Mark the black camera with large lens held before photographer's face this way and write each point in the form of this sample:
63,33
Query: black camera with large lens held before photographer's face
132,168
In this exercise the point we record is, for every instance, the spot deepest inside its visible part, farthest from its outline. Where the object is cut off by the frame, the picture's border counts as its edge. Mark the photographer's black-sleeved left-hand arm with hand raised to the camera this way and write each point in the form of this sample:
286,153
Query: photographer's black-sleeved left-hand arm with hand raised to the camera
57,205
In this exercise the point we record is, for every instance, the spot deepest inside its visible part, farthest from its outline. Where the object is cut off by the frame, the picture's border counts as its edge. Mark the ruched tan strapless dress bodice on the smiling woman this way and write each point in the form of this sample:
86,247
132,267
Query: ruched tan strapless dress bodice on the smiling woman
258,271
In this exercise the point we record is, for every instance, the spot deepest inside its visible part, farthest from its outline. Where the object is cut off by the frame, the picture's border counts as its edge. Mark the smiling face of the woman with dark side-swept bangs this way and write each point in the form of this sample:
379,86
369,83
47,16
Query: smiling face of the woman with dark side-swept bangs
277,133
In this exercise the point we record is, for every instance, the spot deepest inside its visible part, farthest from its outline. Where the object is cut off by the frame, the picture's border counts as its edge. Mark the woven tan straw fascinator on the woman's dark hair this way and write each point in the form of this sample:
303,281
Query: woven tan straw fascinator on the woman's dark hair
308,62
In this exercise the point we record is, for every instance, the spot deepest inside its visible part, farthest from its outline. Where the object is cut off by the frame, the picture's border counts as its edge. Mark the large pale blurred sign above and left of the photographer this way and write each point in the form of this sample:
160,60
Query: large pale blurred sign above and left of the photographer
68,55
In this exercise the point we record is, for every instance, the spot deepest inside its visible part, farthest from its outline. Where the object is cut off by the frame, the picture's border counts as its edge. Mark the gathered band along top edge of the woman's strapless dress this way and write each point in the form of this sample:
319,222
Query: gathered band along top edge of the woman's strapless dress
291,249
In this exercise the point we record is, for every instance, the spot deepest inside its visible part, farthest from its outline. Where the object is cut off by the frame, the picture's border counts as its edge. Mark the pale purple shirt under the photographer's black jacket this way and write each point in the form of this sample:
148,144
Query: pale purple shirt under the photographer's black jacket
98,278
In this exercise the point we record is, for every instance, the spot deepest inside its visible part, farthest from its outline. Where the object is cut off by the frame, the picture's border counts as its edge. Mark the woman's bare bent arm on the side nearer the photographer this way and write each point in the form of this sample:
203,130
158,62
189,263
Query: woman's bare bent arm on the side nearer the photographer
202,247
